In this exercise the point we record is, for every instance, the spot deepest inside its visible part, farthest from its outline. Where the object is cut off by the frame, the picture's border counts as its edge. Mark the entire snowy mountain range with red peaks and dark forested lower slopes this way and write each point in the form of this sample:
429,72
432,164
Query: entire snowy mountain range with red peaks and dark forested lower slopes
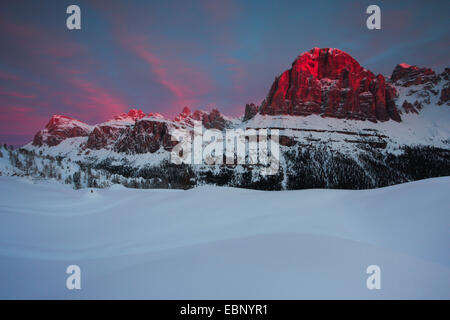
341,126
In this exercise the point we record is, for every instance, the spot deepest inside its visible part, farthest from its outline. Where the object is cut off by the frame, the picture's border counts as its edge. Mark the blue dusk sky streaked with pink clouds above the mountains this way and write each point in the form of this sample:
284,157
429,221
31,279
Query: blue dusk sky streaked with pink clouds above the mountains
160,56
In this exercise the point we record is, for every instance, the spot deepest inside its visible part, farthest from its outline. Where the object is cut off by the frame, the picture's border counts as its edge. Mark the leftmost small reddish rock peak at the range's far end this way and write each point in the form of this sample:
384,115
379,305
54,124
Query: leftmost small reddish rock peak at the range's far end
60,128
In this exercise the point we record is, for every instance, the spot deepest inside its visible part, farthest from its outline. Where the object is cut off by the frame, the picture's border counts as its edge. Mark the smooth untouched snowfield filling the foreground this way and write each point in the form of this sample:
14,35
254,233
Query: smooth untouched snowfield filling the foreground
223,242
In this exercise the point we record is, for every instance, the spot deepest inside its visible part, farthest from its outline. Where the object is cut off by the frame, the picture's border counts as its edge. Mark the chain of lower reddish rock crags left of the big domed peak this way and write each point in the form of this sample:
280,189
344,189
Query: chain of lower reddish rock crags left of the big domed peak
132,132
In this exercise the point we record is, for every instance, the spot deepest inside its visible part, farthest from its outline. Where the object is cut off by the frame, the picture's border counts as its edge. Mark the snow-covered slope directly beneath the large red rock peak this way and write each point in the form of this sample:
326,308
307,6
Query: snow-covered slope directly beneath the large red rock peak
431,127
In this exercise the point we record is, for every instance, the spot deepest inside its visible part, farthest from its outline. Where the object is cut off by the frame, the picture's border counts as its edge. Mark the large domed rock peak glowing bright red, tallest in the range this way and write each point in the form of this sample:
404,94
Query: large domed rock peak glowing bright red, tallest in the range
329,82
